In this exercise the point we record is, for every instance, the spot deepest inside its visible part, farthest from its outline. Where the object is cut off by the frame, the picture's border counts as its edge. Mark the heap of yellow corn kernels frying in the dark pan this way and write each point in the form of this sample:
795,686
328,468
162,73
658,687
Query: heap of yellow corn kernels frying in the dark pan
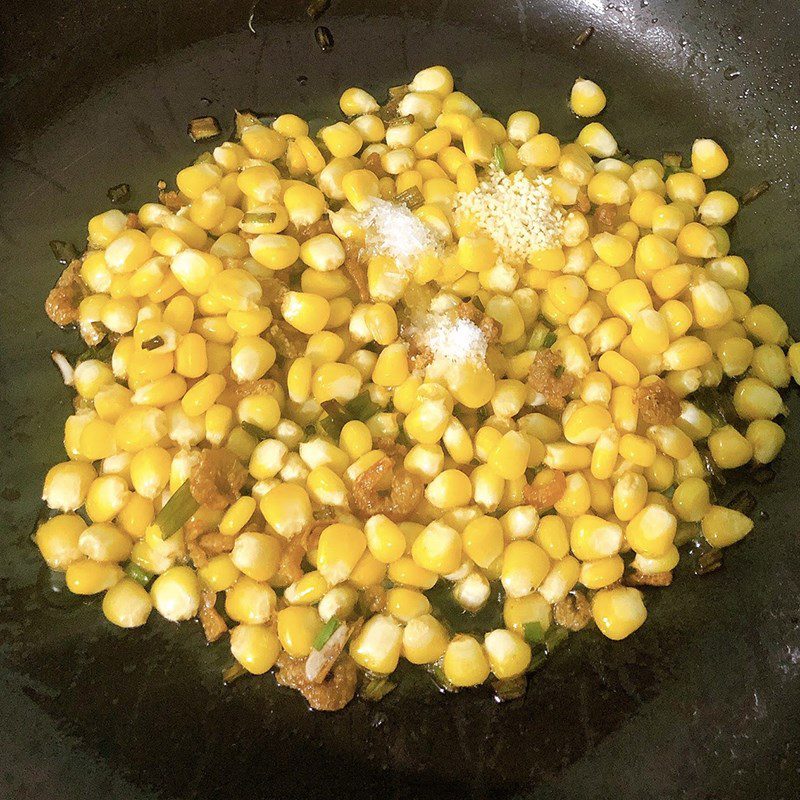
194,295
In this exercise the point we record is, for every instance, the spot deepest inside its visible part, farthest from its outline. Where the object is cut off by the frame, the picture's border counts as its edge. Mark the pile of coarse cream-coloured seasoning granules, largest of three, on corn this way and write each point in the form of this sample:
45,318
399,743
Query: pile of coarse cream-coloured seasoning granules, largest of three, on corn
518,213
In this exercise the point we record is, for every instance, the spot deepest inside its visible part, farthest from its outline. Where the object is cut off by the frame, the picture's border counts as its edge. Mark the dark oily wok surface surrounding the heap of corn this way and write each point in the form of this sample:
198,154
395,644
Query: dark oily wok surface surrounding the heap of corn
701,703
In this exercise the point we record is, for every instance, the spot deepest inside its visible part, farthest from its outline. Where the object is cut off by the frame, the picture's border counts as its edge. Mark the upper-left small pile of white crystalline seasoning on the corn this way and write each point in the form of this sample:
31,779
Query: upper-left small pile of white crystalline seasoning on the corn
392,230
